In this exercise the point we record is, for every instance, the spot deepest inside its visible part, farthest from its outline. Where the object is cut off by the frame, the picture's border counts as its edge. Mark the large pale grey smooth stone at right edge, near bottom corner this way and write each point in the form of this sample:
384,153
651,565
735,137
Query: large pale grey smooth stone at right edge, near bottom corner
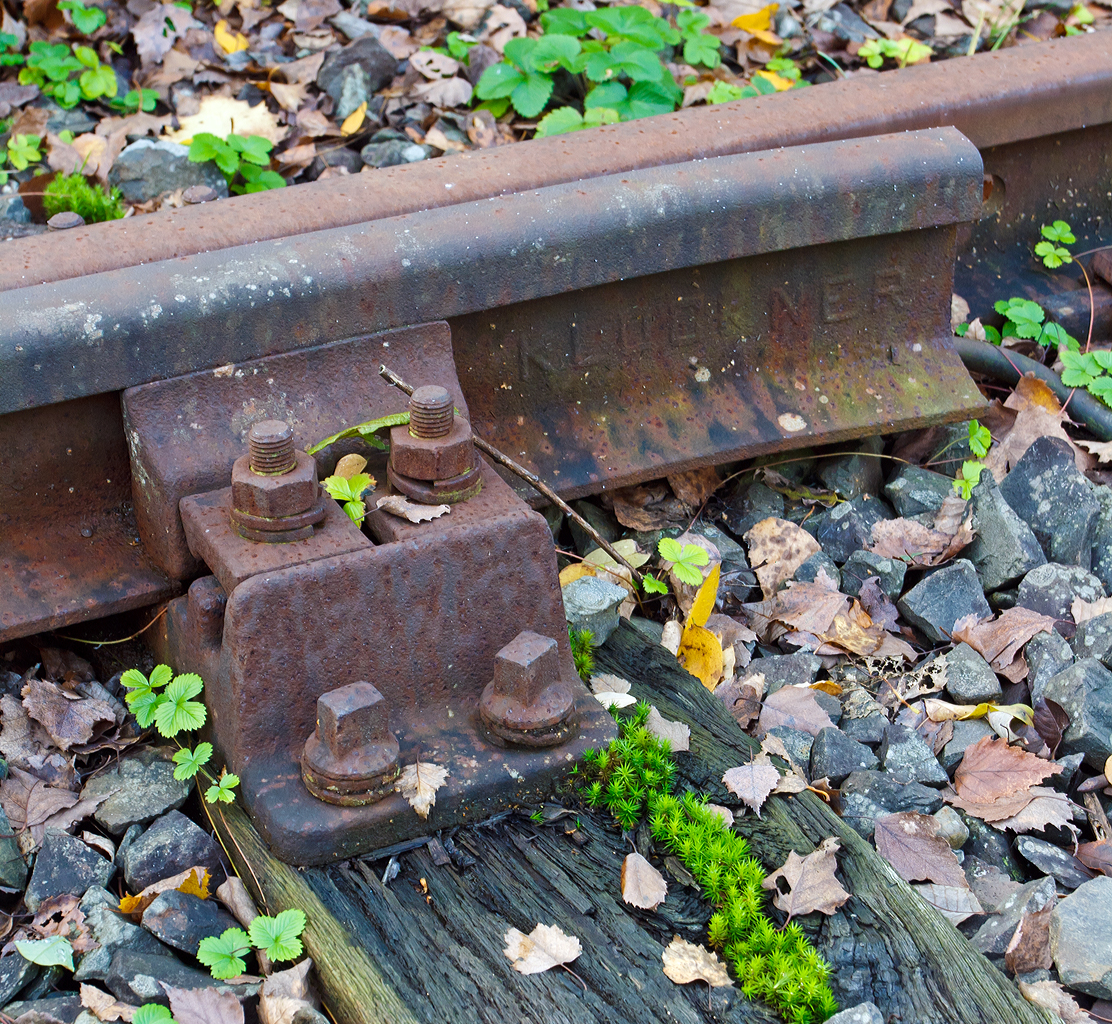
1081,939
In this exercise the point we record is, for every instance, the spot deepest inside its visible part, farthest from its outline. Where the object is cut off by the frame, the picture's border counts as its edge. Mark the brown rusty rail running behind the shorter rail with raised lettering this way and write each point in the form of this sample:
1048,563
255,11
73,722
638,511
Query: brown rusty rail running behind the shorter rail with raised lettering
997,100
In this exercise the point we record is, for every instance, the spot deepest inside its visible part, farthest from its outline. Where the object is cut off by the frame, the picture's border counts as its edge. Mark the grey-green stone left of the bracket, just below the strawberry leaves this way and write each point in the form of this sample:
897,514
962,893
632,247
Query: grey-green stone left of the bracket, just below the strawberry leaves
140,789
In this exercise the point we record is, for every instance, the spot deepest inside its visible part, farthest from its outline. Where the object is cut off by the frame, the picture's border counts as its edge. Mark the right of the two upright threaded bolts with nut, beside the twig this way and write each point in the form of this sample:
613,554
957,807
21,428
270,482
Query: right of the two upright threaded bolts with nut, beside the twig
433,461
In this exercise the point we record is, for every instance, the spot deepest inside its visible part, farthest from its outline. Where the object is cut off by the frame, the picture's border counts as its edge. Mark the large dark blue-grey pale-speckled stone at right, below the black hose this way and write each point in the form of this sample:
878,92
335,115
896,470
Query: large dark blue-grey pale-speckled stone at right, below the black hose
1053,496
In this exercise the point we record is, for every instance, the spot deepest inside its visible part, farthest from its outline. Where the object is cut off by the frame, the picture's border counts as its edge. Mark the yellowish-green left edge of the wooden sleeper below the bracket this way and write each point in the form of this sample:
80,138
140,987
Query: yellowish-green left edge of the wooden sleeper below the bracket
355,991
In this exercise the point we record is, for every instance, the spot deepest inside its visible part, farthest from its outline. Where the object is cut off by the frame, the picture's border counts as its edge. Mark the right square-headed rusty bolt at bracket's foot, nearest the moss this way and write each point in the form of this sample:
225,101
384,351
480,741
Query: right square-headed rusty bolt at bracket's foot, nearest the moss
528,703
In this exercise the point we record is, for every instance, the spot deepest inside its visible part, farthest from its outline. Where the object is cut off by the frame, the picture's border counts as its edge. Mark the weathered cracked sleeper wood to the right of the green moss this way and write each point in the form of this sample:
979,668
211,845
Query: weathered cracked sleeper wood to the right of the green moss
886,945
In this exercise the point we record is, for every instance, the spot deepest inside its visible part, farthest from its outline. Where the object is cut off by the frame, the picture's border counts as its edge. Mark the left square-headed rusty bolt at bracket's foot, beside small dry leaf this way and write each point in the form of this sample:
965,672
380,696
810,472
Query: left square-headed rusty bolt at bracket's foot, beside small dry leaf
353,757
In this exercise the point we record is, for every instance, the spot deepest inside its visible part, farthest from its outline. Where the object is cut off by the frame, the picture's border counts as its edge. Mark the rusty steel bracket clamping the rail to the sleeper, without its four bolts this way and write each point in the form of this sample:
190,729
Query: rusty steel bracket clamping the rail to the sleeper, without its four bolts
418,611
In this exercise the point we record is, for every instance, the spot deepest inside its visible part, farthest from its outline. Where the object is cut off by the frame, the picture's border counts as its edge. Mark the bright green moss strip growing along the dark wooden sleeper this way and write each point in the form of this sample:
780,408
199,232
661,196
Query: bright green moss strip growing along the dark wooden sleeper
634,777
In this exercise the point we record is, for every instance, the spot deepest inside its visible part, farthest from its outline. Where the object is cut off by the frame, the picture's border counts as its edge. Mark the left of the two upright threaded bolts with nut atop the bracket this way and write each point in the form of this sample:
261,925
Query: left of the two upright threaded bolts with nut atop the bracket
275,490
